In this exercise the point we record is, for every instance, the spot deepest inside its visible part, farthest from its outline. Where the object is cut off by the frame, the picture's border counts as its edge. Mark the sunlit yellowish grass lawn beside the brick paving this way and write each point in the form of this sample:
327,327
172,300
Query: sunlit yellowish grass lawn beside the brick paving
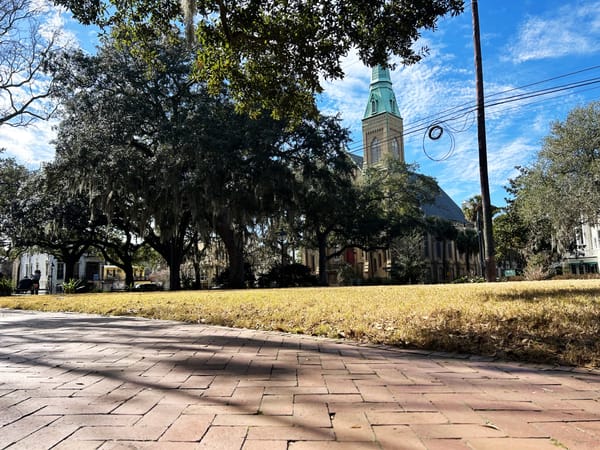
555,322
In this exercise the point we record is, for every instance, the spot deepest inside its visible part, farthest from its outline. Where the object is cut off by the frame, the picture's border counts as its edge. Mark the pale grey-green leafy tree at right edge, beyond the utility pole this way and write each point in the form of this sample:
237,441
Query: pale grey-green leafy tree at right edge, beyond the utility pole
559,190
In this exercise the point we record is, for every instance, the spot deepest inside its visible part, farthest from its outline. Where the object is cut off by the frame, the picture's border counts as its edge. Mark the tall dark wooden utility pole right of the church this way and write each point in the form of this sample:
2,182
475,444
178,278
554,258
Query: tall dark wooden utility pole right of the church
488,237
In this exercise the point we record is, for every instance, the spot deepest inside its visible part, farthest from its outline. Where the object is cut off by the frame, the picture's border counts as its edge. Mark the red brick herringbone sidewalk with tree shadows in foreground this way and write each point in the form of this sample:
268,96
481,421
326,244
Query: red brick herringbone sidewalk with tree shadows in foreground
71,381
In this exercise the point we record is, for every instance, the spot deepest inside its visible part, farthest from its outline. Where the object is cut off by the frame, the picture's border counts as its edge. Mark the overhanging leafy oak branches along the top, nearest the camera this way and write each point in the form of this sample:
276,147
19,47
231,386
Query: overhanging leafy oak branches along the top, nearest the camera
272,54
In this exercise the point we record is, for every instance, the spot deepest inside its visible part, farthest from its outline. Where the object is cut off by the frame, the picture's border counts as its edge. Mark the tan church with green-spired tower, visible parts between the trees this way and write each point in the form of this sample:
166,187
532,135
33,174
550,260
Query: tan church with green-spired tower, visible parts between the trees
383,136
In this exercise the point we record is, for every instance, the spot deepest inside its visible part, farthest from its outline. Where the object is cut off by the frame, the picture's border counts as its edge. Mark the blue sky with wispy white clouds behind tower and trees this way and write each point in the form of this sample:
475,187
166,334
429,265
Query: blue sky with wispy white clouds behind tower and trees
528,46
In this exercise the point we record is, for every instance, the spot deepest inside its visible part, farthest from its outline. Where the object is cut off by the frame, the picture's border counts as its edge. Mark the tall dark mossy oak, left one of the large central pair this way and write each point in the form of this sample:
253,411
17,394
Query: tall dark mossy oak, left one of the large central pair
130,136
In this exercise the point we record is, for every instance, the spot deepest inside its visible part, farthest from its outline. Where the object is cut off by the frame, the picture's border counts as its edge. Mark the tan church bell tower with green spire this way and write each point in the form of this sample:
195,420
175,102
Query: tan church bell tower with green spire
382,124
